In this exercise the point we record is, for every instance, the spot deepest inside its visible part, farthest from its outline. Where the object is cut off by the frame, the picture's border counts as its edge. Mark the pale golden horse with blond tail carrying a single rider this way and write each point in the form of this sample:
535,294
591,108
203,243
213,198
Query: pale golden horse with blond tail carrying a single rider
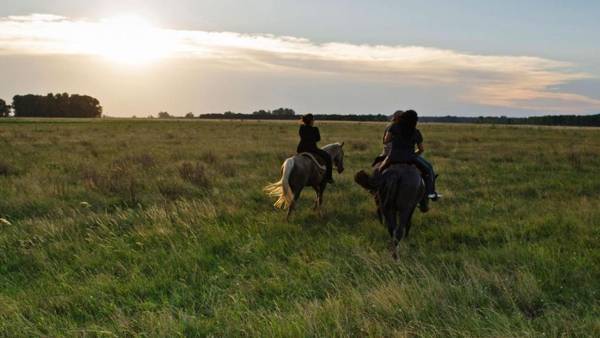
301,171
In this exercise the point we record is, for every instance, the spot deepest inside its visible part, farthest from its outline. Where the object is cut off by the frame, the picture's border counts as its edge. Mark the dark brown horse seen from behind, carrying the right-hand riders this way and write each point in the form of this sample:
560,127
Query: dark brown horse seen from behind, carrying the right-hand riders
400,190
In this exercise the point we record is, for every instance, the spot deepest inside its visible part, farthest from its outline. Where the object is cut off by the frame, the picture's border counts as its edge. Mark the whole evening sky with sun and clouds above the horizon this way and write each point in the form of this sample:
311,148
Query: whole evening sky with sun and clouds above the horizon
463,57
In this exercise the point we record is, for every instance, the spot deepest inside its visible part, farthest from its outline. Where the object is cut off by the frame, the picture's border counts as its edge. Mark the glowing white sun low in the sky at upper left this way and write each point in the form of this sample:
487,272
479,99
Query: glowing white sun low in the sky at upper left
131,40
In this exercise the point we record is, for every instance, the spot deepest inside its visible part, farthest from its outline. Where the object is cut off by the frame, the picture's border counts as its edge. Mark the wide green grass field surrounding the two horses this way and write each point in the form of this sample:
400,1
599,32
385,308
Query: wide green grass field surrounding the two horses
161,228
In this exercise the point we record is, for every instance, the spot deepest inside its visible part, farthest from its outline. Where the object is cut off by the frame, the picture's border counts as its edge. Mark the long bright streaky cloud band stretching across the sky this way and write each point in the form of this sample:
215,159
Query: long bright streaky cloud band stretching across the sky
521,82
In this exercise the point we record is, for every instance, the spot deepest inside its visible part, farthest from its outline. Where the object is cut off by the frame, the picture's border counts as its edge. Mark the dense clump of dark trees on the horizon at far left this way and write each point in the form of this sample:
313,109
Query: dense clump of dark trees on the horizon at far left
52,105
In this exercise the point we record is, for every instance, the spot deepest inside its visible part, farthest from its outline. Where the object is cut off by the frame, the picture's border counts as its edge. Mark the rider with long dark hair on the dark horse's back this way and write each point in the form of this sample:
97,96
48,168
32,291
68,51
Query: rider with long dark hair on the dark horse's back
404,136
